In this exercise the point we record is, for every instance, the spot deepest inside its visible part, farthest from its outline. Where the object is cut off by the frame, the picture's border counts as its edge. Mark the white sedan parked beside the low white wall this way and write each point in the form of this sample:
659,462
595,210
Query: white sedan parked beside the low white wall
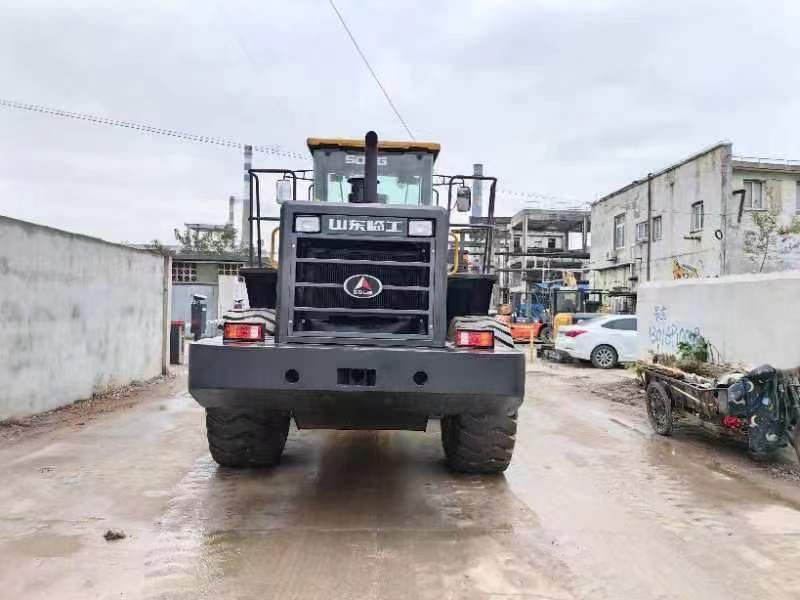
605,340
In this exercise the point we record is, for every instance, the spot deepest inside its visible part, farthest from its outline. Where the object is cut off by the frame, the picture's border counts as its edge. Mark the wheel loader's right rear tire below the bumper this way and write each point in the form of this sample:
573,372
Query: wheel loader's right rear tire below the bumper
481,443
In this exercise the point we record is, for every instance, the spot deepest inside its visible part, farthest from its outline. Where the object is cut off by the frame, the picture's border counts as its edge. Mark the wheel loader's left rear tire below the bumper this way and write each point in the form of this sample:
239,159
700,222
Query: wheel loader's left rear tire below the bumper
241,438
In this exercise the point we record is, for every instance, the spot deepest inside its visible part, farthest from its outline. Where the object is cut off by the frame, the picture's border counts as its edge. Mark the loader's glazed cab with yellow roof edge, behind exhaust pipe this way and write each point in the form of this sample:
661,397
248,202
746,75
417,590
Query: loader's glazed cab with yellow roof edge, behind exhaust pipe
405,171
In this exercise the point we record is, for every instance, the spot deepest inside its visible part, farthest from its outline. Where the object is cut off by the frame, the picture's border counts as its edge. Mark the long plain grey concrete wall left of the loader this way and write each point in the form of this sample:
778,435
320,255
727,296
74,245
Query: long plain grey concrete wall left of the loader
77,316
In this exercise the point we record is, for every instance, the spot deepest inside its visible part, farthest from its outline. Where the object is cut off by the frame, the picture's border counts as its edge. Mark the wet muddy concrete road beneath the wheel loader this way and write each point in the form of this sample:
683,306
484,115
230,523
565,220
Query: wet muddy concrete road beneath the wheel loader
593,506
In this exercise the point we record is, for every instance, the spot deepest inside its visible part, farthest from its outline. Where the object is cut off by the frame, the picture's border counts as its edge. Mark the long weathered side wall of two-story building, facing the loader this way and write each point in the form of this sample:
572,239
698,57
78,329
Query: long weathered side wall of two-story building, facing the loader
700,178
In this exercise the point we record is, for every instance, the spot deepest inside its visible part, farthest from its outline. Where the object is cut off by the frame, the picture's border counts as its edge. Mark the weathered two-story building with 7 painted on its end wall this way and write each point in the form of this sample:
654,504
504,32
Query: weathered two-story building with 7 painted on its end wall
708,215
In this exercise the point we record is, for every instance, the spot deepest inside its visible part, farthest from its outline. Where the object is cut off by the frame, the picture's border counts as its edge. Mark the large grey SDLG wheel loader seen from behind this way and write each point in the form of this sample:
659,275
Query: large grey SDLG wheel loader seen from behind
355,318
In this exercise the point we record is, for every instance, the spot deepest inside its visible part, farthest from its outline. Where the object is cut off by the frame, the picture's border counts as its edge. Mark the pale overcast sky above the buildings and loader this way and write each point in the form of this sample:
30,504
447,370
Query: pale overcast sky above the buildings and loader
563,98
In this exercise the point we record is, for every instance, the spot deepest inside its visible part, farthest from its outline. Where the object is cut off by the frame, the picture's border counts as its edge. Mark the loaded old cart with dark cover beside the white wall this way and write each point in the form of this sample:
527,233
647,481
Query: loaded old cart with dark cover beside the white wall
760,407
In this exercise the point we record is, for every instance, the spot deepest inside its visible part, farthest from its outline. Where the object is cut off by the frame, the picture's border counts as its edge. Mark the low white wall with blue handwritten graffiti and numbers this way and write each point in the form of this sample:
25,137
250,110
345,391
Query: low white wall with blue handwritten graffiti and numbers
748,319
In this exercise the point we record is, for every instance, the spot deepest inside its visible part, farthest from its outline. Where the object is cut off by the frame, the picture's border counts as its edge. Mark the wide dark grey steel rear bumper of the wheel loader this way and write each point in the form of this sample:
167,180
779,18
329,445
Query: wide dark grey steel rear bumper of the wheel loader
305,377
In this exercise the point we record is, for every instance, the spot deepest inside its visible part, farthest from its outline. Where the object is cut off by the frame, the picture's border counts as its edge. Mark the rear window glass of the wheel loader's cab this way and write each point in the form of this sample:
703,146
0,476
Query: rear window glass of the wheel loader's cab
402,178
